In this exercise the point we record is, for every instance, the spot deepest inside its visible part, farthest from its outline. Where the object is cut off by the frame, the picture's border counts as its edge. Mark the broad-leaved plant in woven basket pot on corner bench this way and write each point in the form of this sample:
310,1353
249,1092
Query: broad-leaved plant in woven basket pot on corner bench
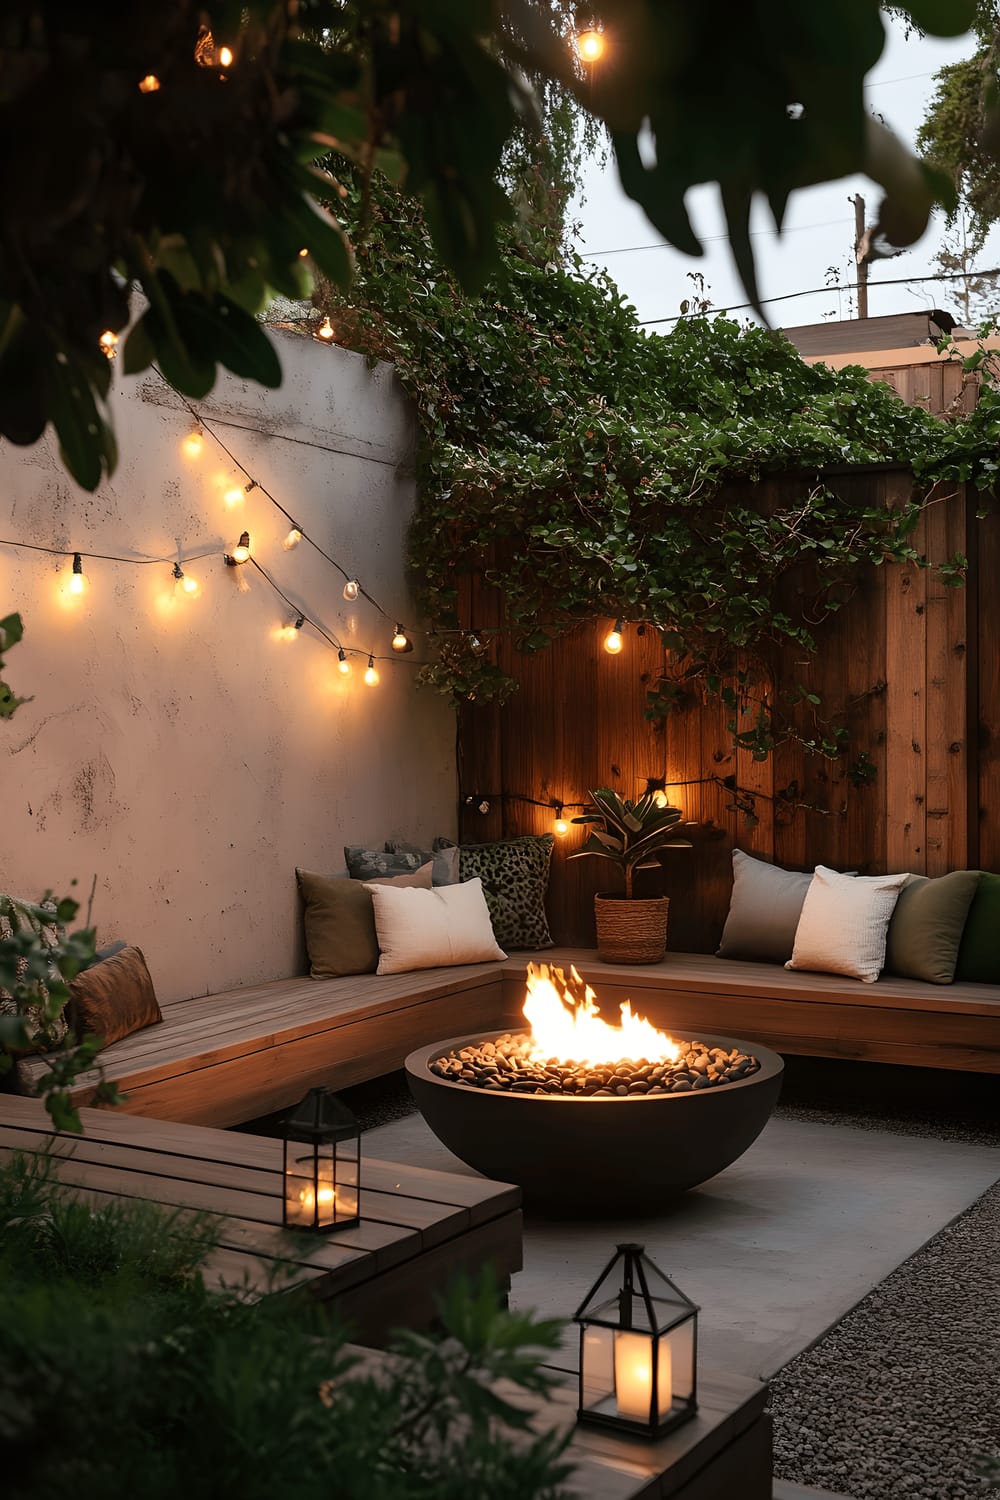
630,835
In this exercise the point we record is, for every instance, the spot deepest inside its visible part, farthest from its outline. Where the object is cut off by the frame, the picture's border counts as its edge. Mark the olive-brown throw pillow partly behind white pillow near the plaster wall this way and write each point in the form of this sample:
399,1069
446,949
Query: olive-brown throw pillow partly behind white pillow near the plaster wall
341,923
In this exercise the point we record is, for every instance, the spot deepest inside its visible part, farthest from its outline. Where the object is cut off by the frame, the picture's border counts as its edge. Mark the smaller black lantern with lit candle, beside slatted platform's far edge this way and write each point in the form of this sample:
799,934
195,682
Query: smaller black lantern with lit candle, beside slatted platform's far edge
322,1165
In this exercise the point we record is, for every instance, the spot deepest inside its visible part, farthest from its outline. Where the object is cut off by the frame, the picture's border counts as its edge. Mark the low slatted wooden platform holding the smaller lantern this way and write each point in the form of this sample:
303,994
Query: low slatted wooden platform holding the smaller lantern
419,1228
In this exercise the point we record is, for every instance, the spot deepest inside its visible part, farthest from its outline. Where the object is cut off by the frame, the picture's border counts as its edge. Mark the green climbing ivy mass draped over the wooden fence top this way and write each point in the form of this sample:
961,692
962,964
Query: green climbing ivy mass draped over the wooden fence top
588,469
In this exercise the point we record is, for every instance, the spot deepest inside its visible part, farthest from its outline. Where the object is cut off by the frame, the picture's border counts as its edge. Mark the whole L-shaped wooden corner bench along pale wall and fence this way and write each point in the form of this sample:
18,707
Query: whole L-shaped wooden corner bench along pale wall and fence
223,1060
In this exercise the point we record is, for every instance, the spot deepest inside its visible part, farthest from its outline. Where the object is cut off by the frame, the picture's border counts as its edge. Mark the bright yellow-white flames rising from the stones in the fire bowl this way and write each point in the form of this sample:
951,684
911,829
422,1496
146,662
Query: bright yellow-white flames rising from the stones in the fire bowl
566,1024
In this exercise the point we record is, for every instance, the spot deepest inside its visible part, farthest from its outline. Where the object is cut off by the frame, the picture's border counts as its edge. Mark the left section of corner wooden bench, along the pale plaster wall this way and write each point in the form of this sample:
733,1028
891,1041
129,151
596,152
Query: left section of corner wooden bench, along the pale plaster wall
223,1060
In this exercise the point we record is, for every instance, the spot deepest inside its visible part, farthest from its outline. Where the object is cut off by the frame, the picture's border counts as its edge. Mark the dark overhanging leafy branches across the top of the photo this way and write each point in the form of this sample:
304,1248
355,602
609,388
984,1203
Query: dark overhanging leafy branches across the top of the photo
203,190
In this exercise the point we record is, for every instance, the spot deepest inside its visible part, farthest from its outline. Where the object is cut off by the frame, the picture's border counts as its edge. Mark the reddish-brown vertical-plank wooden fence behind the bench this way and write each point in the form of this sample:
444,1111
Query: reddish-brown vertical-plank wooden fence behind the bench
911,659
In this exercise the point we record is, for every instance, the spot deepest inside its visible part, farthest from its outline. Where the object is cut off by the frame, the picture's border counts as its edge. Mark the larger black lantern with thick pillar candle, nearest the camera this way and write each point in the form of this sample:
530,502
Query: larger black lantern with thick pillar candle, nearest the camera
638,1349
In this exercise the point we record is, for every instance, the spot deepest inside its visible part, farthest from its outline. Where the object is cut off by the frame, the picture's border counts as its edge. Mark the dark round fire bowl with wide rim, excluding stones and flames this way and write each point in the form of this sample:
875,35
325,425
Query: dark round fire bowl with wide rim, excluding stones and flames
597,1156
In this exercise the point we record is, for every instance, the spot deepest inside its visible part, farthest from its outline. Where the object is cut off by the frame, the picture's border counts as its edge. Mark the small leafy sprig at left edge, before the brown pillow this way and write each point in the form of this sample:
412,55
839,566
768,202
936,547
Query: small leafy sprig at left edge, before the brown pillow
38,962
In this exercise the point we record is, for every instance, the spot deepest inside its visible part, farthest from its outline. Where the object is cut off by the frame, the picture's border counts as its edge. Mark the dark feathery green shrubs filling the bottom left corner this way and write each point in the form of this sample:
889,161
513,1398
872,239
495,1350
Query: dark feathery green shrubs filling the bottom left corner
122,1373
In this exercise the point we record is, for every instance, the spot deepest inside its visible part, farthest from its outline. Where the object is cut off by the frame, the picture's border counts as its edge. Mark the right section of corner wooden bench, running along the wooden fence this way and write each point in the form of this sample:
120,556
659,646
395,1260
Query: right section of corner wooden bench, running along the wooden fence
795,1012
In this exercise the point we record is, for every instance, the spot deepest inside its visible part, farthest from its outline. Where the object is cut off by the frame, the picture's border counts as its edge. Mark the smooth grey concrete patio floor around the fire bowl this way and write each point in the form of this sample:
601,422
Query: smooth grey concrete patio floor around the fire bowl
774,1250
